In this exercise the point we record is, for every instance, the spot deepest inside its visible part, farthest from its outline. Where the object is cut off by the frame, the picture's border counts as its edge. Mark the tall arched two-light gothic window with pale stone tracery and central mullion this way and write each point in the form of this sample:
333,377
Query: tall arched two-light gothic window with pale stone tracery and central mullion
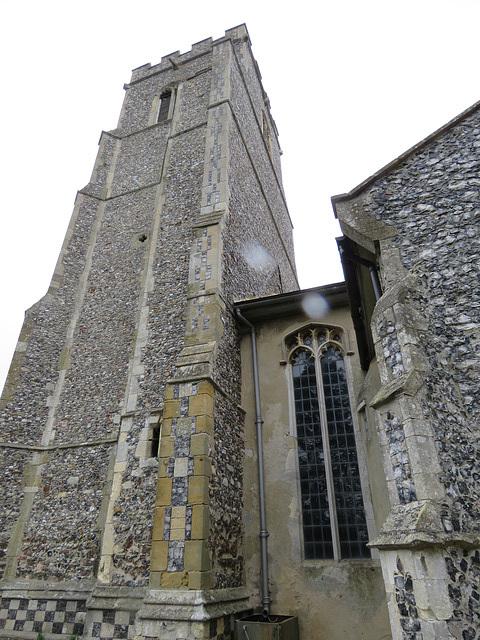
334,523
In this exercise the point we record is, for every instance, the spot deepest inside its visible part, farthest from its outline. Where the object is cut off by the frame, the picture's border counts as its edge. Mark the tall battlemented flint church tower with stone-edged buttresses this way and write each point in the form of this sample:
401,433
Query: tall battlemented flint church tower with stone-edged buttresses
121,437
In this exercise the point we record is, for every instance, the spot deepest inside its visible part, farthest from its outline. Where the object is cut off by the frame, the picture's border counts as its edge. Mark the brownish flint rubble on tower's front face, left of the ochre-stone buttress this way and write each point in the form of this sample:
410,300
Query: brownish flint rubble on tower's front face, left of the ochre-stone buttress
103,311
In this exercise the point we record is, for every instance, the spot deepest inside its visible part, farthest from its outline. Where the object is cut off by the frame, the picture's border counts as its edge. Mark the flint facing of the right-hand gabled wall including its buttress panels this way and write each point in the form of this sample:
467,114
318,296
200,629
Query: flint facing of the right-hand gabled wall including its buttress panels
432,201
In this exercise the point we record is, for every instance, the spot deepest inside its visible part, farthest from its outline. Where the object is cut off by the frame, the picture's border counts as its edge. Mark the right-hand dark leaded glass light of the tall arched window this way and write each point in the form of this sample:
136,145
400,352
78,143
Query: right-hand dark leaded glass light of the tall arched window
352,527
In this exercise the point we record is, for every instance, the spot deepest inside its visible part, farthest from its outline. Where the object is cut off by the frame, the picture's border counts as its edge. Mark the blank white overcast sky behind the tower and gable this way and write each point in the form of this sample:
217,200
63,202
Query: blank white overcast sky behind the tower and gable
352,85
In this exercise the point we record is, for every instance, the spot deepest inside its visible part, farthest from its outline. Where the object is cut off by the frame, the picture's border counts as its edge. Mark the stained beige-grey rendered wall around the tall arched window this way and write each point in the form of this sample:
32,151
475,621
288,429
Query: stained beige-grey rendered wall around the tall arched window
332,599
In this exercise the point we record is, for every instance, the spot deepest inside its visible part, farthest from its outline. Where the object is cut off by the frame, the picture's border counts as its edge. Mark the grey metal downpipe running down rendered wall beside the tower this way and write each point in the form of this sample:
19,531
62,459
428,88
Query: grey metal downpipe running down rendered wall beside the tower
261,481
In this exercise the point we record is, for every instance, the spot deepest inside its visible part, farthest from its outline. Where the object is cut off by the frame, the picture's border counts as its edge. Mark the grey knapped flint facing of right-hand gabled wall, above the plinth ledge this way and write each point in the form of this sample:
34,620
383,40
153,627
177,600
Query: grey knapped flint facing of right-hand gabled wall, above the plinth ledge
432,199
